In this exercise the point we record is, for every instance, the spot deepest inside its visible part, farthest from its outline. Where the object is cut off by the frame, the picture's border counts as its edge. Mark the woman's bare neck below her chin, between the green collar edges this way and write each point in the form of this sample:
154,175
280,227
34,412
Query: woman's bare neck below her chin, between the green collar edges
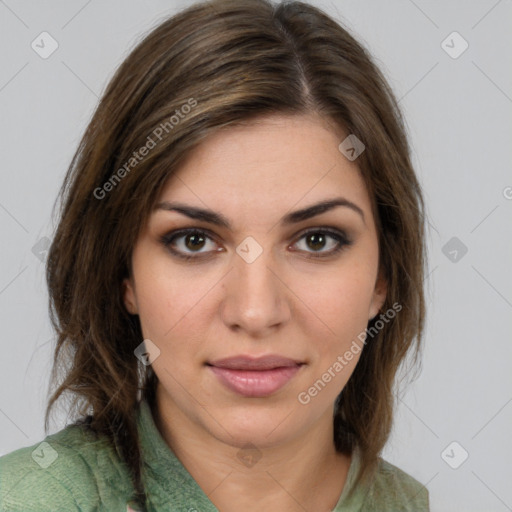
304,473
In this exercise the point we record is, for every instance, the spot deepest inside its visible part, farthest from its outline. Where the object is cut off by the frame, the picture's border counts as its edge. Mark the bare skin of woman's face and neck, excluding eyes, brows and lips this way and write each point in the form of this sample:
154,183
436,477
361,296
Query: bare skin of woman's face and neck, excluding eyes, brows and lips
283,302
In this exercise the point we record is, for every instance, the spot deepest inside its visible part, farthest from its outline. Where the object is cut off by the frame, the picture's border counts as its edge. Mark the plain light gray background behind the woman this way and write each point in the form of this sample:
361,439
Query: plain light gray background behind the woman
459,115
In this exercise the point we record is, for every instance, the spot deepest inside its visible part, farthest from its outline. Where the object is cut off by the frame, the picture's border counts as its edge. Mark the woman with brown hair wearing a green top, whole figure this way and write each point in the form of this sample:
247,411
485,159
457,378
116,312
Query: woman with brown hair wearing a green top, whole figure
235,279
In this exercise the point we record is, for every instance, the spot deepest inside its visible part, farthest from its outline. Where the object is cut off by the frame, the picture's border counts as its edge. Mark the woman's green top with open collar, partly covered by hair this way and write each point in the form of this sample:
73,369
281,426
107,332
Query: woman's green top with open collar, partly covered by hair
72,471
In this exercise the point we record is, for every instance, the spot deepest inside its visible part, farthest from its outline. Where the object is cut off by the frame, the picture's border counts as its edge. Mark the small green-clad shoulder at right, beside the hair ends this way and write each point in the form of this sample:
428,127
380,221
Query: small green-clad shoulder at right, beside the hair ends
393,489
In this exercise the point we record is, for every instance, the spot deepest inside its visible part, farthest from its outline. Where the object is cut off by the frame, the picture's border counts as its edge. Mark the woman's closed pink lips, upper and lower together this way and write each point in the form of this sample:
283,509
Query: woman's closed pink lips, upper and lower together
255,377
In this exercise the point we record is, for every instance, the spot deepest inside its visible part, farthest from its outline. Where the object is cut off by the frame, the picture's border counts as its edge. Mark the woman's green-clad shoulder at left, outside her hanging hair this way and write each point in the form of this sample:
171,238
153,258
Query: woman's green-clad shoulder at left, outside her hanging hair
71,470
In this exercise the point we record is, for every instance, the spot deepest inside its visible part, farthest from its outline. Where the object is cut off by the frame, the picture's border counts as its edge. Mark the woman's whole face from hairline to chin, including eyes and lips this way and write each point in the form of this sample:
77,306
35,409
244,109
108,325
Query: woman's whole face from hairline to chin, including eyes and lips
252,292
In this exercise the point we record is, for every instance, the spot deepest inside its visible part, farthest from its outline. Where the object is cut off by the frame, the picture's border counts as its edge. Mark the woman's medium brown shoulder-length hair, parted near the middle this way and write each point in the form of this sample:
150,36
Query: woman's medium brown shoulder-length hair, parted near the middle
231,62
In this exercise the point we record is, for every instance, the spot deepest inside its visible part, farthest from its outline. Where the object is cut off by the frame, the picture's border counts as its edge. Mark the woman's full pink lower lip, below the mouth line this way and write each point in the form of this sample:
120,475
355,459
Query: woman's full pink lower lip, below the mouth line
253,383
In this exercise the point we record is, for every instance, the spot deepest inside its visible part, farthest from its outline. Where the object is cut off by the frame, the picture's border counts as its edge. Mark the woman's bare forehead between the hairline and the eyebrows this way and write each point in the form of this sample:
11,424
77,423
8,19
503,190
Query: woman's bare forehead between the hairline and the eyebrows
272,164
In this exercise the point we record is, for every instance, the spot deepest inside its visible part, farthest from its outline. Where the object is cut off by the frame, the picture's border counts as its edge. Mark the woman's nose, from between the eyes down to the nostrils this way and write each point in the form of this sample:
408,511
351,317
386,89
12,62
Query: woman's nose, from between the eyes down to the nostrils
255,299
